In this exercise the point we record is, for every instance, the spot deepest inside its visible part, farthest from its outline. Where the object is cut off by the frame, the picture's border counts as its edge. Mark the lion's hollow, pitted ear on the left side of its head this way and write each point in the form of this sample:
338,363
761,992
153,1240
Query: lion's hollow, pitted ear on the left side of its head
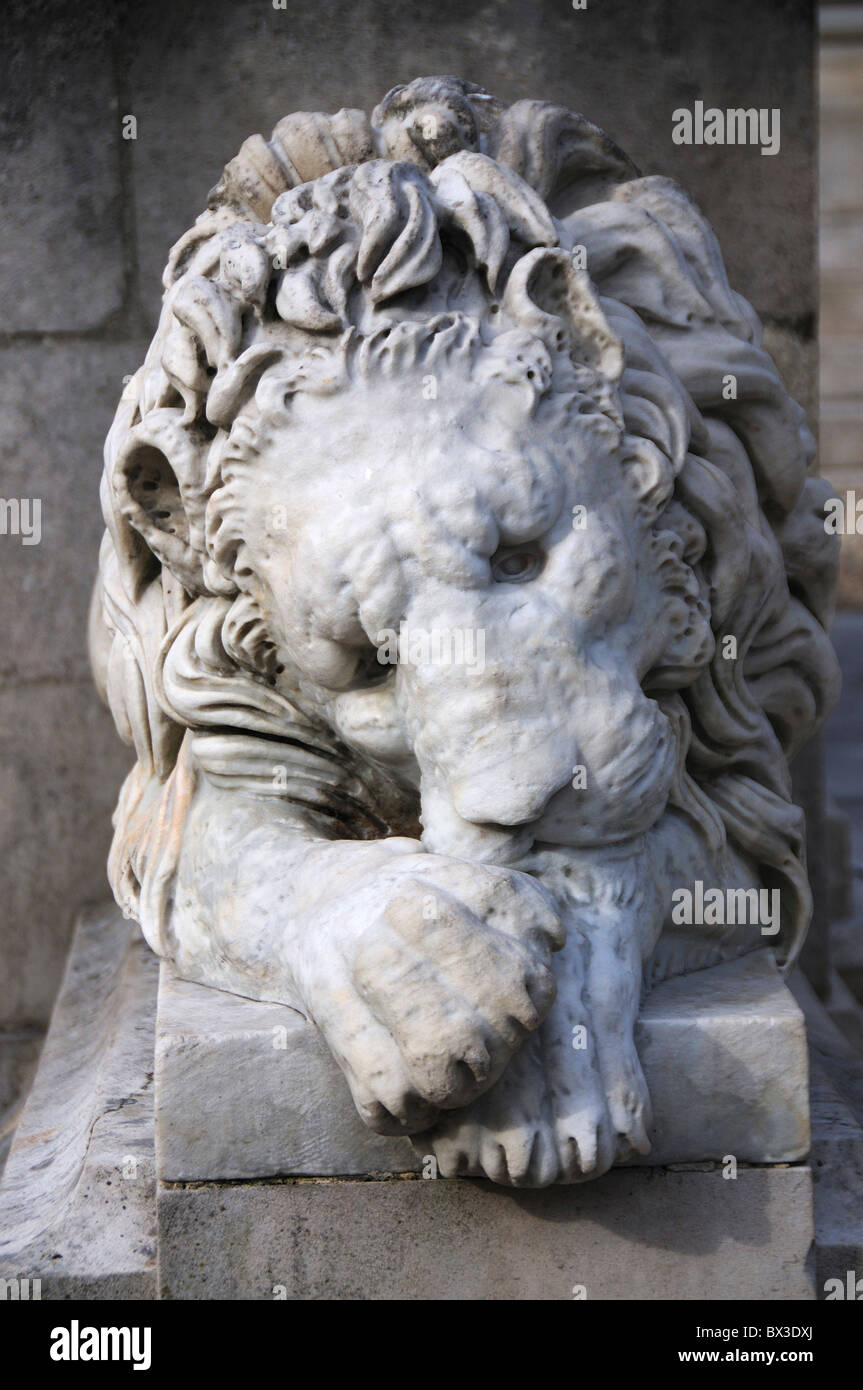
158,479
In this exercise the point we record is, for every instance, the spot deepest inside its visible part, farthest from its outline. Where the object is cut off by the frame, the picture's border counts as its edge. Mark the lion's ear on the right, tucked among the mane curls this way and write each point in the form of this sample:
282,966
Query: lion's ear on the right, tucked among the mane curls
545,287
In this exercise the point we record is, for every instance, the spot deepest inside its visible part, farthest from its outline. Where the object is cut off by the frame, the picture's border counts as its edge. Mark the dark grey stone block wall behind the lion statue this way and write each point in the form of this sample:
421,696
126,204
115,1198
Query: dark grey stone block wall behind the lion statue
88,220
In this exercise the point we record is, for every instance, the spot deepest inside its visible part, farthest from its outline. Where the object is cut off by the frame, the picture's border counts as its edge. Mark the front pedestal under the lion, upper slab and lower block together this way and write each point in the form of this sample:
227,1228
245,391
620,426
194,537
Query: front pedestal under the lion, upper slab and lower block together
265,1191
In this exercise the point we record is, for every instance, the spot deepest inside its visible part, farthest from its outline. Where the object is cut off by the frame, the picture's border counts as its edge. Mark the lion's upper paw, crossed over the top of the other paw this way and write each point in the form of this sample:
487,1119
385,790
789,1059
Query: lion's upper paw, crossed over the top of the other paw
427,983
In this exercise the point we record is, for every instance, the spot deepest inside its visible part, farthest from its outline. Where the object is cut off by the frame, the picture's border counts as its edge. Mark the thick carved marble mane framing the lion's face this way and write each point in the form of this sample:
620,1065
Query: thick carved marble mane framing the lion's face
309,268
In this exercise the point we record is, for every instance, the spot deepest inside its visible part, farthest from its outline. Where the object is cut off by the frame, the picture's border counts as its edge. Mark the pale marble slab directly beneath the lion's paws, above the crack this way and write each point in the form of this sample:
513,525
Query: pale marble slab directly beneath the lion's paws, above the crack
249,1090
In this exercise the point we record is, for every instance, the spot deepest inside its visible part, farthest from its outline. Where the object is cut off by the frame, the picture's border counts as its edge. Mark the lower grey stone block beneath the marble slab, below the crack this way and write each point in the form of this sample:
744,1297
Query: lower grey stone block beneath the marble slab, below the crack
637,1234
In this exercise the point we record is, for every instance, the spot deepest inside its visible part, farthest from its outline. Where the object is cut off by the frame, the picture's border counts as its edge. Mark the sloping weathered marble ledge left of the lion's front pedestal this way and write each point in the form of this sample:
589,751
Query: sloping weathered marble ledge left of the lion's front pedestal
77,1199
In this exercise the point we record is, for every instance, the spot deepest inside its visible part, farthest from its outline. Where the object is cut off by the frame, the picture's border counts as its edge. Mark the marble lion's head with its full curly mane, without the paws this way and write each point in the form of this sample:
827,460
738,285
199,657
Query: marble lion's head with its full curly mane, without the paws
461,368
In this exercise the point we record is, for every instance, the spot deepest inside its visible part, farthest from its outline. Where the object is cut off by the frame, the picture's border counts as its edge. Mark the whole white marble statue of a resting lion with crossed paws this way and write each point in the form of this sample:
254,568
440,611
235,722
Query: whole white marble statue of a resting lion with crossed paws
457,370
